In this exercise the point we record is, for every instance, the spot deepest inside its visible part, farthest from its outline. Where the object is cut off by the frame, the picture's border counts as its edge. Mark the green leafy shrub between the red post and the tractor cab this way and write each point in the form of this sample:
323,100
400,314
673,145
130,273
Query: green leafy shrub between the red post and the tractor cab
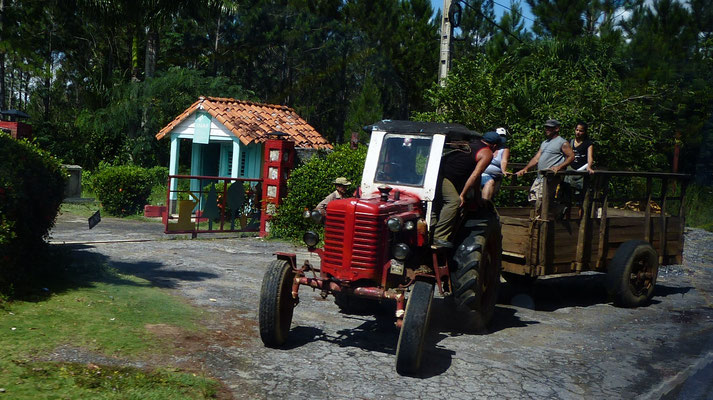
312,182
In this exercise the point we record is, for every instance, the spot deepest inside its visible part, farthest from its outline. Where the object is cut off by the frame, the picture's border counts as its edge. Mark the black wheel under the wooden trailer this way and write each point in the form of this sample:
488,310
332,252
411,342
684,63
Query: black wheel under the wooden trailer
632,274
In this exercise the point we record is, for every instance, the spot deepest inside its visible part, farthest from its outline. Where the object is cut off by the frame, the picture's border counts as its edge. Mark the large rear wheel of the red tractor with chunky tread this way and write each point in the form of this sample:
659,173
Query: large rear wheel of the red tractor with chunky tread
477,274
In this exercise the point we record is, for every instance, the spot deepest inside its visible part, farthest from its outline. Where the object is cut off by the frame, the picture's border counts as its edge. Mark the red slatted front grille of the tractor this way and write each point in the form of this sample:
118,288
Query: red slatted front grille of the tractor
358,241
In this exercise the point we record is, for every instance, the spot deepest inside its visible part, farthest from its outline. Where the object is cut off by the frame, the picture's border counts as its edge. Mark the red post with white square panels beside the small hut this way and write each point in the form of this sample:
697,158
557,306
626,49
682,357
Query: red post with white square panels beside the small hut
278,161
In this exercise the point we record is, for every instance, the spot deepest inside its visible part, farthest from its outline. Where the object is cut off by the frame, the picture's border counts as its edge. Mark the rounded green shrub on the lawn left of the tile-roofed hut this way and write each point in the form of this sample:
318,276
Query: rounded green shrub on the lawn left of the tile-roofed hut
122,189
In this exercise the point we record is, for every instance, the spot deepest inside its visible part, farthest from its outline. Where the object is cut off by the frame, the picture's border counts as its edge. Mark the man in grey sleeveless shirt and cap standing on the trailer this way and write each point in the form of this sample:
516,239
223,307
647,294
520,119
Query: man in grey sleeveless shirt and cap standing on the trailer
555,154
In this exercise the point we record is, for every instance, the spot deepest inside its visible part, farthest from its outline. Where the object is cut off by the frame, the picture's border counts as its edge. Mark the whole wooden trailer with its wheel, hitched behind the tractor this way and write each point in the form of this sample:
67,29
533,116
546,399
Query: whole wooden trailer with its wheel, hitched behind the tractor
627,238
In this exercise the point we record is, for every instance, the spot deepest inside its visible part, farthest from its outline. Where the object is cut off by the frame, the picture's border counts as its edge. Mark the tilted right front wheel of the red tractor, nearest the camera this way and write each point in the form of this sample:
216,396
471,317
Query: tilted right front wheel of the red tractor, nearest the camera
414,328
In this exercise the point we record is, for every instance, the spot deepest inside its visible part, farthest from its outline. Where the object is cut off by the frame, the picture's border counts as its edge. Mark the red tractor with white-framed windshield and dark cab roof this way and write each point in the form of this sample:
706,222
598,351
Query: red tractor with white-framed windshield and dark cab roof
378,246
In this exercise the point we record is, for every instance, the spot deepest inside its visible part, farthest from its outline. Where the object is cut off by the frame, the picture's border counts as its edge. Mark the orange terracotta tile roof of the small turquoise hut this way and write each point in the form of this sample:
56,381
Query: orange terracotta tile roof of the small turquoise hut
251,122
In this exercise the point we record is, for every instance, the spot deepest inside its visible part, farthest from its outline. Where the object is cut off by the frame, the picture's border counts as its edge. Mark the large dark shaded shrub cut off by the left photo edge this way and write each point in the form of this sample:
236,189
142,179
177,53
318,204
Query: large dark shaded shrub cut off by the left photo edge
32,184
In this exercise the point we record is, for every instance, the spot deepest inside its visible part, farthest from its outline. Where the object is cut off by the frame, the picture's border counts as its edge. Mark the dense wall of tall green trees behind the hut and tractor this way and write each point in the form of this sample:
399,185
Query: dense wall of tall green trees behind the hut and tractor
100,77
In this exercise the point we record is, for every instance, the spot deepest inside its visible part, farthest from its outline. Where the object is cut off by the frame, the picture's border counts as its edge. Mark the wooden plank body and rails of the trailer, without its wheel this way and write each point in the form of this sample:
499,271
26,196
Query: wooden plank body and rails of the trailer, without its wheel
541,243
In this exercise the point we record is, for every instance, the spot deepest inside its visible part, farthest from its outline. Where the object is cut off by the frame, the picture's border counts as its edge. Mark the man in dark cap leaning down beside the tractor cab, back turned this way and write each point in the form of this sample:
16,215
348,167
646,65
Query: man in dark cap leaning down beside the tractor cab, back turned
460,172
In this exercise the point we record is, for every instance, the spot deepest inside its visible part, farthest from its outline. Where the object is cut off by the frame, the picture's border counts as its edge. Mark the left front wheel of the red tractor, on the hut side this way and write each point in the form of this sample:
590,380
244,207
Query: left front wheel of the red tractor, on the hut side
276,303
